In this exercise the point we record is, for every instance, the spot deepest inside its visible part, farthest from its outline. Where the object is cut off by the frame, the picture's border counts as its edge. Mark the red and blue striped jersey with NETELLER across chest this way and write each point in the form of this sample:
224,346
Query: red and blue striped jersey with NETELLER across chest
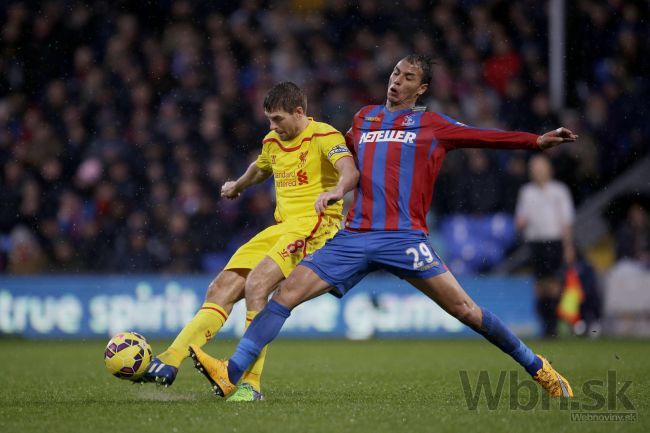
399,155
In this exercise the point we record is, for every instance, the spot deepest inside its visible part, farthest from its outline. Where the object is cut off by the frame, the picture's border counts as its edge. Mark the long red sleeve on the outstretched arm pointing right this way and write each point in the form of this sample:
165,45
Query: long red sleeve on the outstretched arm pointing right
455,135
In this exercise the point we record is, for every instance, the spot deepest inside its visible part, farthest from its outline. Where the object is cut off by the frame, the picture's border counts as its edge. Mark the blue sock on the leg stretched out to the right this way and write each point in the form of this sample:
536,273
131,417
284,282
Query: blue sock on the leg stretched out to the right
494,330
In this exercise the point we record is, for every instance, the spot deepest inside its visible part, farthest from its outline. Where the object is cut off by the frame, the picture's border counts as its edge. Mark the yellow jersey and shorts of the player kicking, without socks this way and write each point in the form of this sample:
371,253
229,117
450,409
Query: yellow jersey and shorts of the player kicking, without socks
302,169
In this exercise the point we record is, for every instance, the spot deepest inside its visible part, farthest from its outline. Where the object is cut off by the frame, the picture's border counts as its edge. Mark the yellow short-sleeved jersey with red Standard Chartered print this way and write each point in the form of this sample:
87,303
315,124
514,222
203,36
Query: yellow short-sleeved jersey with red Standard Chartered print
303,167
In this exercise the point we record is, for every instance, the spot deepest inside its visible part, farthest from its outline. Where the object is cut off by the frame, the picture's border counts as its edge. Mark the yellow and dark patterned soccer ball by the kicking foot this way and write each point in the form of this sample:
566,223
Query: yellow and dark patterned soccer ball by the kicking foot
127,355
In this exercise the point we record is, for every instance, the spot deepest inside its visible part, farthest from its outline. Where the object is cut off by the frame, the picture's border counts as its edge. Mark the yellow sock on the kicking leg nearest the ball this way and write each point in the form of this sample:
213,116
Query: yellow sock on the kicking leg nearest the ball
205,324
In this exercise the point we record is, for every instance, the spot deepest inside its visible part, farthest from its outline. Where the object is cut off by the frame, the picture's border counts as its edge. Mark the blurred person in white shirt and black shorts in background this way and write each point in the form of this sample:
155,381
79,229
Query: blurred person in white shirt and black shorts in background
545,214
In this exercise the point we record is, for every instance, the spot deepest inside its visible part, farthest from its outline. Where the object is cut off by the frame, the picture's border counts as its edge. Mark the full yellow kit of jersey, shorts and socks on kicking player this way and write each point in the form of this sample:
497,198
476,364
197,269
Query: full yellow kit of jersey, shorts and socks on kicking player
303,168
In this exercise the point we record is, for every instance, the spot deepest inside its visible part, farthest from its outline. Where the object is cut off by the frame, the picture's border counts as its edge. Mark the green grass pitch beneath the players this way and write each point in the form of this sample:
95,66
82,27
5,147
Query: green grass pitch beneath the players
315,386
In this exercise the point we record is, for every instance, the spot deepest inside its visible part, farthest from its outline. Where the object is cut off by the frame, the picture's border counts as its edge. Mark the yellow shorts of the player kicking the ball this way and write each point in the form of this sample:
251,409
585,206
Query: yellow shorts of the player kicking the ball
286,243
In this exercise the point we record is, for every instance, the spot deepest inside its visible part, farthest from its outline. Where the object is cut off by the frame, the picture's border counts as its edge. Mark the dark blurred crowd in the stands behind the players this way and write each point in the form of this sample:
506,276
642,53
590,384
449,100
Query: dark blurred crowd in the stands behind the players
119,121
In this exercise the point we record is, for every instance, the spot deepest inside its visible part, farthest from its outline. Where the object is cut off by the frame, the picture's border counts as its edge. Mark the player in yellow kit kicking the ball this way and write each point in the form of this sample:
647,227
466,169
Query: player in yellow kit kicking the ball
313,169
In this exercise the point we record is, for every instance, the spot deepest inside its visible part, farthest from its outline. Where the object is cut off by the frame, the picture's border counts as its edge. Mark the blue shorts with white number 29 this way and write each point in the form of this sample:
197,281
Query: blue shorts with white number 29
349,256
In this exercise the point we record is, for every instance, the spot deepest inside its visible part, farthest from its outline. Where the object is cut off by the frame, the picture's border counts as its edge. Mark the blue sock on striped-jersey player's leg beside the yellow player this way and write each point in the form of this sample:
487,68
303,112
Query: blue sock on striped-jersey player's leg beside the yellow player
262,330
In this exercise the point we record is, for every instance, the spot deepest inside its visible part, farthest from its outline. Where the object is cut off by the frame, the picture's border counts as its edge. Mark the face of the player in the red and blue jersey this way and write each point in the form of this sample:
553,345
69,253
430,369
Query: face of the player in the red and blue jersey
405,85
